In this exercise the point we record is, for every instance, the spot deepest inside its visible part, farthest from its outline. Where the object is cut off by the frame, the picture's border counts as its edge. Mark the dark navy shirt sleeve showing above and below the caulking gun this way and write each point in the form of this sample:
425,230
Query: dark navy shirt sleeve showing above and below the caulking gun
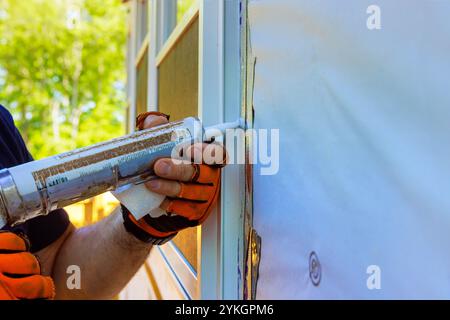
43,230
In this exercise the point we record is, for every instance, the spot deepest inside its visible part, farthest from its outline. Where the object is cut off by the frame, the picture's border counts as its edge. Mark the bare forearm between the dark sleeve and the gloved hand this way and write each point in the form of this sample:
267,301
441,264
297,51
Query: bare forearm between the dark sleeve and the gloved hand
107,255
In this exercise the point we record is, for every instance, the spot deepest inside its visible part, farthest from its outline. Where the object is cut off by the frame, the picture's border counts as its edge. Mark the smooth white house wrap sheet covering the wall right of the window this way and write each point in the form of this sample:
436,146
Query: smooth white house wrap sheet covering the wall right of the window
364,181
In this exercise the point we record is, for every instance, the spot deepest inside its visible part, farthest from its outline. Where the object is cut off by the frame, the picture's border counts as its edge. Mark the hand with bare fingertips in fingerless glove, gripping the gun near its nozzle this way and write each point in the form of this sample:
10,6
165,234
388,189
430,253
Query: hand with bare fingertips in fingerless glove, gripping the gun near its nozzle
191,189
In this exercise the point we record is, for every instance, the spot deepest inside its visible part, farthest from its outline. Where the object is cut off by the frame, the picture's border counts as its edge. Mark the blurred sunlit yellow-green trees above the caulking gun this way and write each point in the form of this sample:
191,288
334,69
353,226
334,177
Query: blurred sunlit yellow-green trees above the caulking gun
62,71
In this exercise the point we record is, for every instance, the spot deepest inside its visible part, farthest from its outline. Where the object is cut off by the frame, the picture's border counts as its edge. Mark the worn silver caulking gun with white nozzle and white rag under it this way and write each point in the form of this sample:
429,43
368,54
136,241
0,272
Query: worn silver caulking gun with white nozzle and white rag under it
120,165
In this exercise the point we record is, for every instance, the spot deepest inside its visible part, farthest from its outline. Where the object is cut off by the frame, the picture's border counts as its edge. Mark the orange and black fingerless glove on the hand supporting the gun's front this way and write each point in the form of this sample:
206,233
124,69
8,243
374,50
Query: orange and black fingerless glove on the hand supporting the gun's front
189,208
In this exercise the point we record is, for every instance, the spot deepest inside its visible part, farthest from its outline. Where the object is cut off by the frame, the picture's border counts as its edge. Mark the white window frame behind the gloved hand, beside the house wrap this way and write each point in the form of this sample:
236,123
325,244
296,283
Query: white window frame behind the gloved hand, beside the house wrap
220,243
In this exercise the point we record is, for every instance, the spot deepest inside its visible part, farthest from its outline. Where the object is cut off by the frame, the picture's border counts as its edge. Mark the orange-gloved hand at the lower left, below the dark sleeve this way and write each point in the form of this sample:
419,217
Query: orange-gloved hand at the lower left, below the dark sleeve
20,271
